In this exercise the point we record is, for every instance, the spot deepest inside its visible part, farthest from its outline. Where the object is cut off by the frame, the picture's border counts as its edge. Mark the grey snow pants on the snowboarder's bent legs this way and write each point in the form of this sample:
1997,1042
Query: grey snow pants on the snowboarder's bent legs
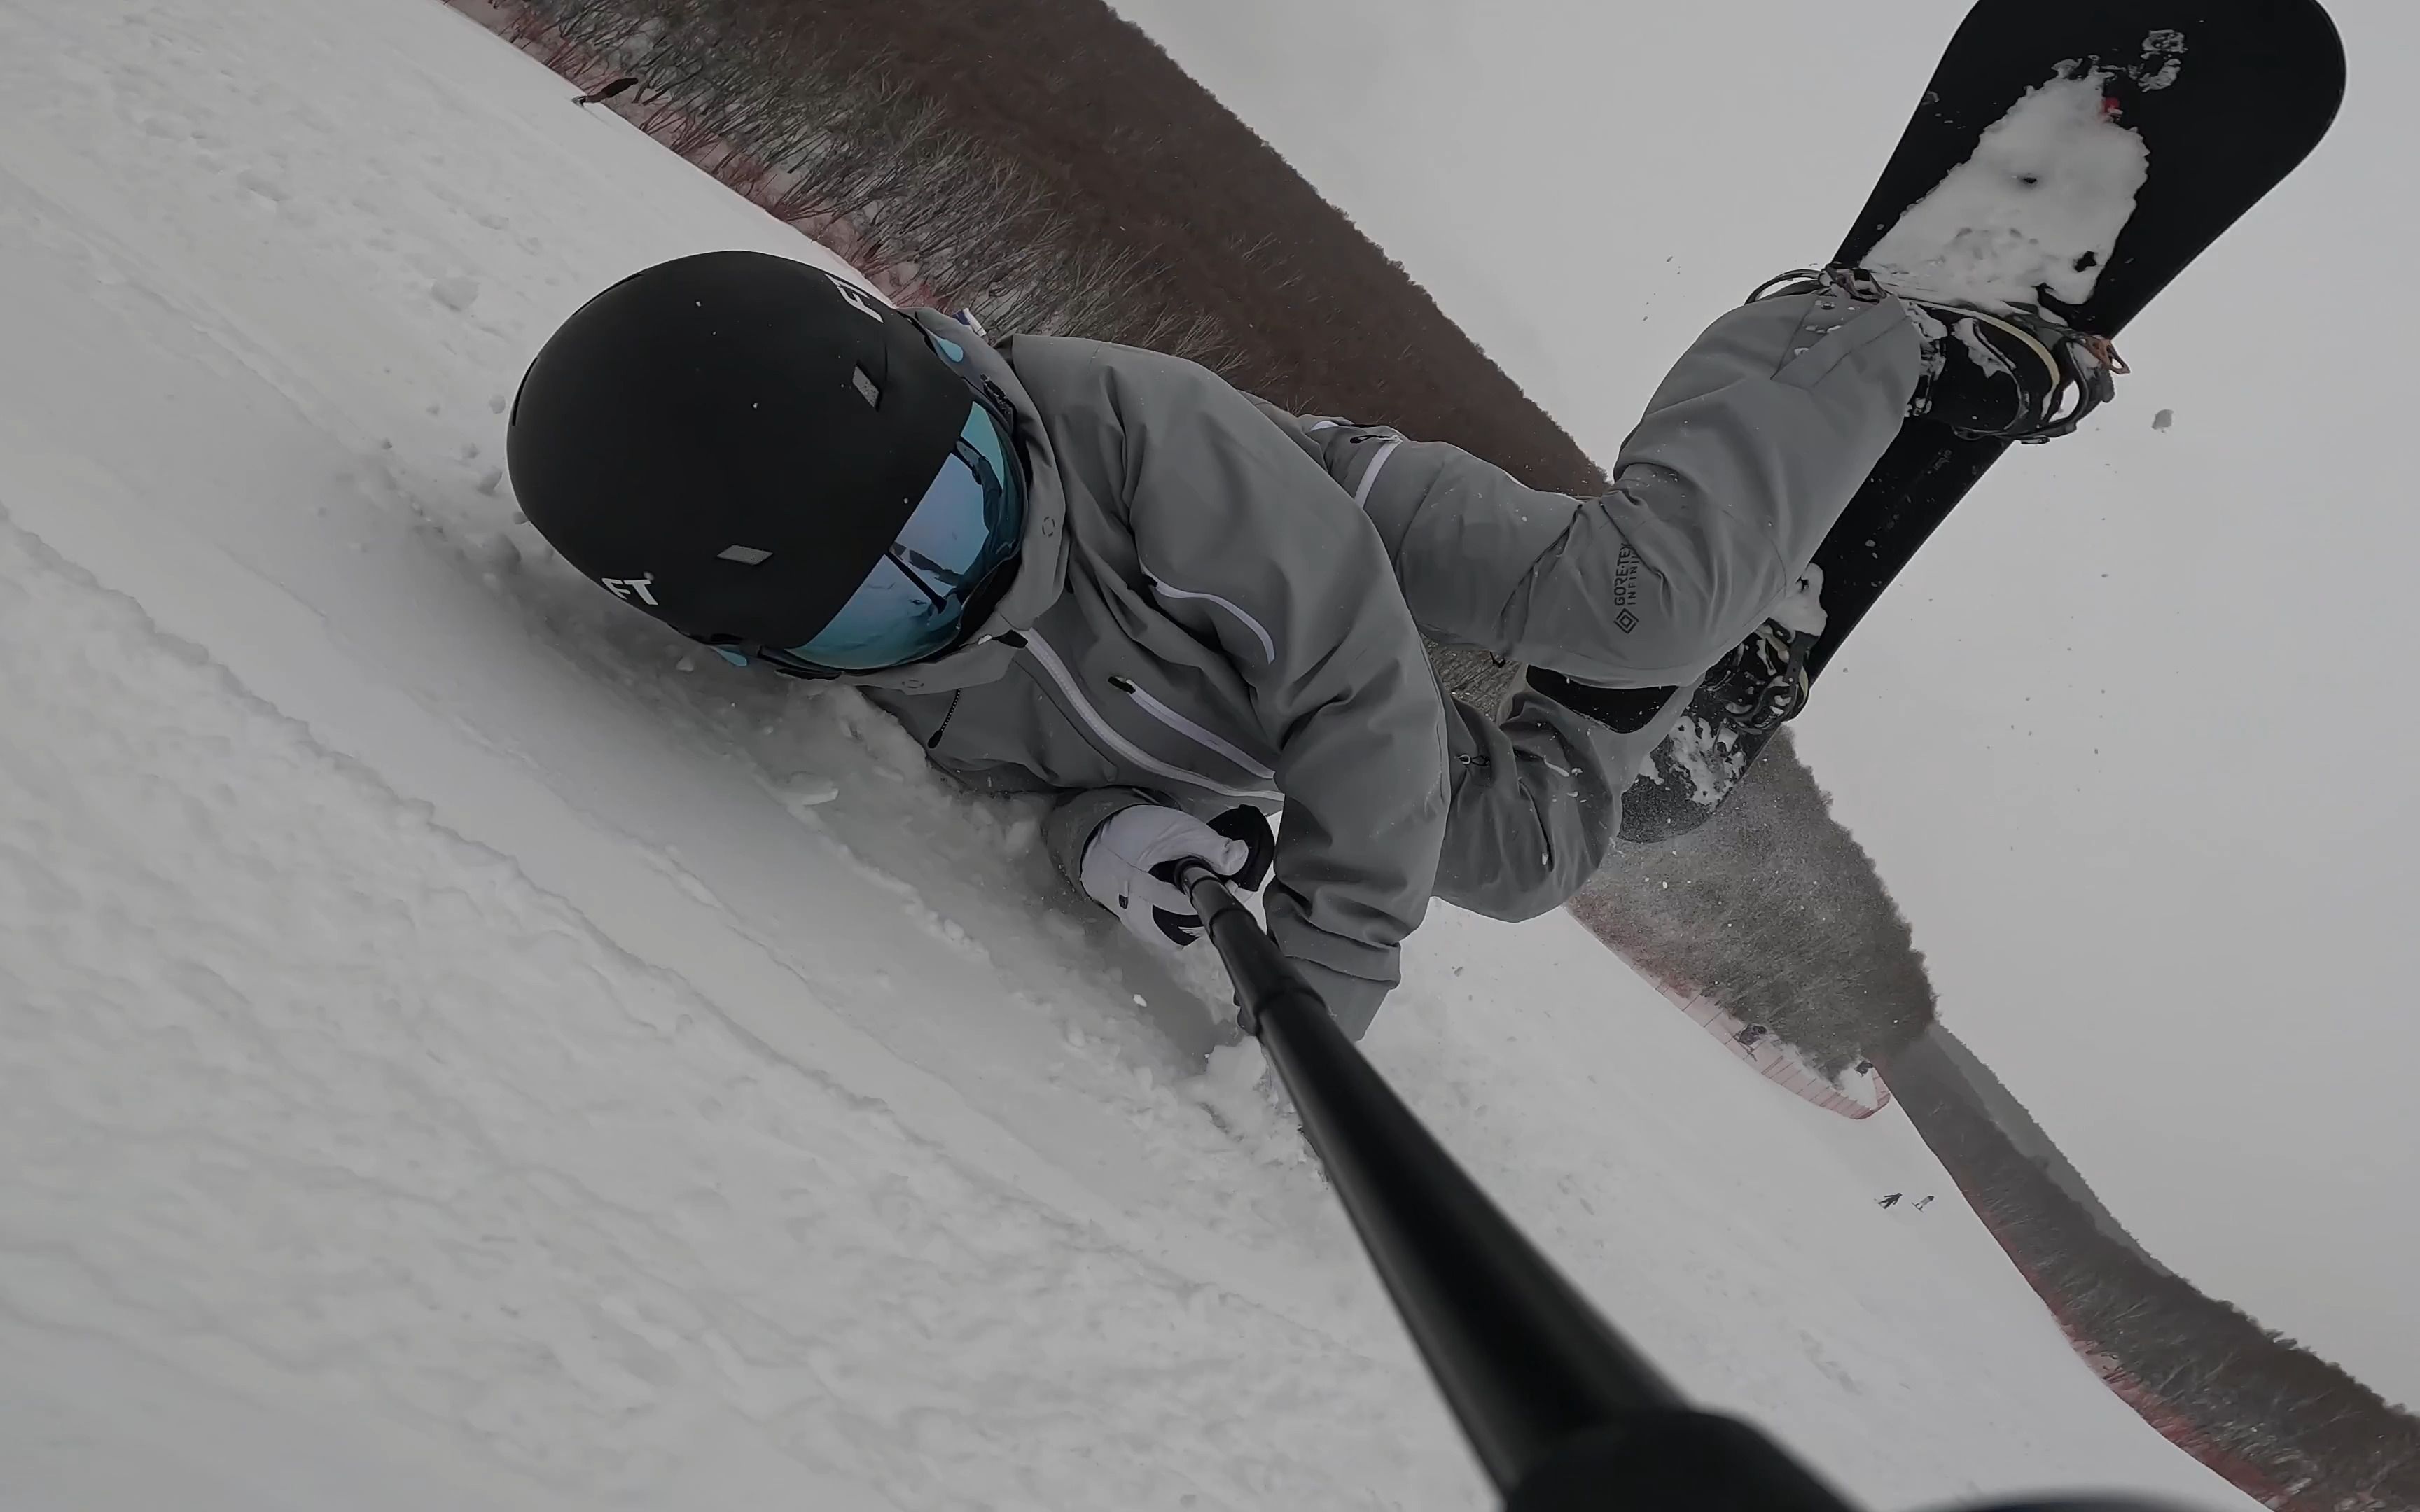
1744,461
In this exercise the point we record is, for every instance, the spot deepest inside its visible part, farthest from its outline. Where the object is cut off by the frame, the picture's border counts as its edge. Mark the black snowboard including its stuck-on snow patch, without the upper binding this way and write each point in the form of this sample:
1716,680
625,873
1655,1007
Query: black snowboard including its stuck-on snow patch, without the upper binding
2007,178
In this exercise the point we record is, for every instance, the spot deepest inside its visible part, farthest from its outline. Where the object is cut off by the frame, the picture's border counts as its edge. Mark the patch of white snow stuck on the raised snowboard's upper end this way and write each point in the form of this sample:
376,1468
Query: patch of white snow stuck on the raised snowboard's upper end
2039,207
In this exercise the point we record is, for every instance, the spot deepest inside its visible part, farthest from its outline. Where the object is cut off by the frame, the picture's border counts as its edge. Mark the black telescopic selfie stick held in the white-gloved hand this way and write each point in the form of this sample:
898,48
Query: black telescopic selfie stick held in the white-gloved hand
1562,1412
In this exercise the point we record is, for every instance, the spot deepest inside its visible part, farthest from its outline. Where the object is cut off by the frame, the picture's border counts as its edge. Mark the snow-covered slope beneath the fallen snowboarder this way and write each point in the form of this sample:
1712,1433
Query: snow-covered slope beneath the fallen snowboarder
456,1049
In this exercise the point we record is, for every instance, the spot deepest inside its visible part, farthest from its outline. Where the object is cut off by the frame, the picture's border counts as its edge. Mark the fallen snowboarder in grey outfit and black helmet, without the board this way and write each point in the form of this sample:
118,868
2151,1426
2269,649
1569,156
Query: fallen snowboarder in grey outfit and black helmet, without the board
1102,572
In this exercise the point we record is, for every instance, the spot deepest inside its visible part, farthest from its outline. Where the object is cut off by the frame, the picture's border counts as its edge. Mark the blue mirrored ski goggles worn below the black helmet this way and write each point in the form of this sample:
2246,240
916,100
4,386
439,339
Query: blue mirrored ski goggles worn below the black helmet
938,572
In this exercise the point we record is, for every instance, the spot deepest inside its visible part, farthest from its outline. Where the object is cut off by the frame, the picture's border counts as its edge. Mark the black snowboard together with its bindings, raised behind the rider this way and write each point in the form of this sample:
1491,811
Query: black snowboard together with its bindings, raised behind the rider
2220,129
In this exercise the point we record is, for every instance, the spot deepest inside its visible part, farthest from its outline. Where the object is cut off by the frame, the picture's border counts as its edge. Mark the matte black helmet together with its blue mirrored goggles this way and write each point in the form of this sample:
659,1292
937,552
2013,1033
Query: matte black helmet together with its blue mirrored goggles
739,442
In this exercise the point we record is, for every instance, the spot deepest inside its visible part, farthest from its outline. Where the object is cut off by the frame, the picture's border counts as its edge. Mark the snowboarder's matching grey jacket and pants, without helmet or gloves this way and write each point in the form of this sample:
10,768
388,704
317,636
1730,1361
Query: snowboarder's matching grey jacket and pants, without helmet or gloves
1223,604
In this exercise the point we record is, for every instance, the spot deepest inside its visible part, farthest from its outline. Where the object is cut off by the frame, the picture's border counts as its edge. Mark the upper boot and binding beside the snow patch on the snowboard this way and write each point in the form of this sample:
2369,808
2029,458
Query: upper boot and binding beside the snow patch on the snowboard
1988,374
